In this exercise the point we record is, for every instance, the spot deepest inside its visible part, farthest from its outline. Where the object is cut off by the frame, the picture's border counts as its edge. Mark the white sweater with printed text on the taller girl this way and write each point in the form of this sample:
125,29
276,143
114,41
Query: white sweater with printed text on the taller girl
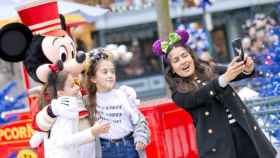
114,107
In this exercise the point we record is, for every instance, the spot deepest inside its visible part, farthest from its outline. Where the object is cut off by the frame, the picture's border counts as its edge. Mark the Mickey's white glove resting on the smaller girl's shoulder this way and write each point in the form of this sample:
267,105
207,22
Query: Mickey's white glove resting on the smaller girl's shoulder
67,107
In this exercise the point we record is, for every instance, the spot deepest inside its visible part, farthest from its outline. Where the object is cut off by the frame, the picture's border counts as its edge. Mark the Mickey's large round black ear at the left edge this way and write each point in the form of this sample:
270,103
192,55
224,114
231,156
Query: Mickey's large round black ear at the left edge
14,41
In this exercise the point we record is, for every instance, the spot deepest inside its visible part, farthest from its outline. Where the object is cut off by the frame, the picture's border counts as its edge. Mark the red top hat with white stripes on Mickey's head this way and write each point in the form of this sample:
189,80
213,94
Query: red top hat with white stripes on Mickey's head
41,16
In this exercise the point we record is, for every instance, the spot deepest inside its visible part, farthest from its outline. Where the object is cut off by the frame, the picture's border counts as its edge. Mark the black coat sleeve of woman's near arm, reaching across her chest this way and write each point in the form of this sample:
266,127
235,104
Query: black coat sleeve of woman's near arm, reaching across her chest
195,99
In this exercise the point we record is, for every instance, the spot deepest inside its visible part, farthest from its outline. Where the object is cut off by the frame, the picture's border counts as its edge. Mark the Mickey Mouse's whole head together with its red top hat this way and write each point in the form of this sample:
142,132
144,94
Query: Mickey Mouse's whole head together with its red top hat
40,41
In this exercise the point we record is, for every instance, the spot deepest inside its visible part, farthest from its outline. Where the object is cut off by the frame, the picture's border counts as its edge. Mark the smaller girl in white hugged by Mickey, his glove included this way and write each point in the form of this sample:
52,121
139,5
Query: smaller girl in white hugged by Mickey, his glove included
71,134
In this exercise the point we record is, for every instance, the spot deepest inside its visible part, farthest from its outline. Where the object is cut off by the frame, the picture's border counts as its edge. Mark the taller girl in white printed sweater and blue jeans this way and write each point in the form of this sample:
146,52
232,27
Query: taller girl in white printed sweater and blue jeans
129,132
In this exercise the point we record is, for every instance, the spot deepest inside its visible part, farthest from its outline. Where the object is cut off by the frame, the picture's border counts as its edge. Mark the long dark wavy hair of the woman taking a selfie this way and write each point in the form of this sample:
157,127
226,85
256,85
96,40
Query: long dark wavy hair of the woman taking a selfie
203,71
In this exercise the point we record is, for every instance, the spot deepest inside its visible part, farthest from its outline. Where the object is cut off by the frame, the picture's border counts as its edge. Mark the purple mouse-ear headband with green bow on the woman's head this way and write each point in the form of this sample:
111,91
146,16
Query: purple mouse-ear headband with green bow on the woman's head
162,48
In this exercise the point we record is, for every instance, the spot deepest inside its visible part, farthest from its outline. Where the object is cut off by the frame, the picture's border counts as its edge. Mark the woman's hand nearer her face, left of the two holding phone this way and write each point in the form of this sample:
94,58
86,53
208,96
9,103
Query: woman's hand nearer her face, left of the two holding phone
233,70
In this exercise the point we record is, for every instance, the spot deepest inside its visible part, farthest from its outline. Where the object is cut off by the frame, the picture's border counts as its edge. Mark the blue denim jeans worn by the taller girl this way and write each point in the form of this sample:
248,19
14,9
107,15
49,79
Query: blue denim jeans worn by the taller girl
121,149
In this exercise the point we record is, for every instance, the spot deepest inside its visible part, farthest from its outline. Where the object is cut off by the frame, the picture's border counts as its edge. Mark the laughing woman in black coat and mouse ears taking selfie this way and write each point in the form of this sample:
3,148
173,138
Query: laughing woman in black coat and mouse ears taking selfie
225,128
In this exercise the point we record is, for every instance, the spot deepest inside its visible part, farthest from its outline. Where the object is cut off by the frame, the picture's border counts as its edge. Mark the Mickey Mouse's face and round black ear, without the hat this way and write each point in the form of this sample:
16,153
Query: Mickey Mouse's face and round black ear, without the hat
17,43
